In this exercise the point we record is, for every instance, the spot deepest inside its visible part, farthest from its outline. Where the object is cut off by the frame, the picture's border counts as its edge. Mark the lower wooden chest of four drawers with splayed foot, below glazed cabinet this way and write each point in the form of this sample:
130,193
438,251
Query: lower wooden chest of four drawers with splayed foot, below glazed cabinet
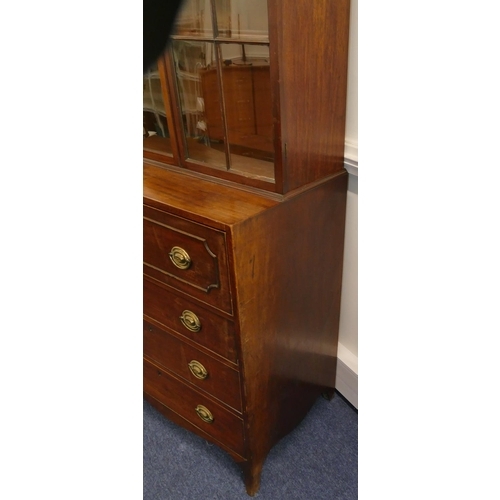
241,308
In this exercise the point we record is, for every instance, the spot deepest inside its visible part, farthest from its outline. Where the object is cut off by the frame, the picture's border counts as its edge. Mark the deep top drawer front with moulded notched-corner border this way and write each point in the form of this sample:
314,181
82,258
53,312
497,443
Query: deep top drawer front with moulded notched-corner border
187,256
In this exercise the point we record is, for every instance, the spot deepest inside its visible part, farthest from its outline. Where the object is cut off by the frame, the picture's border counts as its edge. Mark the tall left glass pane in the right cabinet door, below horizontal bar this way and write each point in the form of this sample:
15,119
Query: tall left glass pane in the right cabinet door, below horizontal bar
198,87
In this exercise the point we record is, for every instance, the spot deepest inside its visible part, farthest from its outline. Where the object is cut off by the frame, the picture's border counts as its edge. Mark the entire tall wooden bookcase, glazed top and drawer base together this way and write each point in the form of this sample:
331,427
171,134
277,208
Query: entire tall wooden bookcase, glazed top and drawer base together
244,215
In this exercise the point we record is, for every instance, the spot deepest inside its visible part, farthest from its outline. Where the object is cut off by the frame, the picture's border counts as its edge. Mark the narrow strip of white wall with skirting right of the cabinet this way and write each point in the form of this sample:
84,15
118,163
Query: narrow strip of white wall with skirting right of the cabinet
347,369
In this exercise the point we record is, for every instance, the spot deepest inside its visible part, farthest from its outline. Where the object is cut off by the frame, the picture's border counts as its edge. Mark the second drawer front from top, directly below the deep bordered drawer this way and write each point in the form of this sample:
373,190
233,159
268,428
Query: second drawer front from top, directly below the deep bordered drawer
190,320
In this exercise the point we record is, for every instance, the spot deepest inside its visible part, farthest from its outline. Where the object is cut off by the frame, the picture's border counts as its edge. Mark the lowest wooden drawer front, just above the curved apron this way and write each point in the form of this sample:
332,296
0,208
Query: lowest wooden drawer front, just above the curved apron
189,404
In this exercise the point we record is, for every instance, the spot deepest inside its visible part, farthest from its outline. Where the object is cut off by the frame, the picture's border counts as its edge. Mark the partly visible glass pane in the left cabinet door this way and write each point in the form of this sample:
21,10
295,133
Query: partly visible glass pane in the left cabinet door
155,128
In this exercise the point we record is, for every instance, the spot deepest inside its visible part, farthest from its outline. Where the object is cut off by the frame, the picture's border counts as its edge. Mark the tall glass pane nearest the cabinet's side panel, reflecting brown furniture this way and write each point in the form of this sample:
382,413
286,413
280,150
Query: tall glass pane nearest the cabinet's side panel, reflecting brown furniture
247,97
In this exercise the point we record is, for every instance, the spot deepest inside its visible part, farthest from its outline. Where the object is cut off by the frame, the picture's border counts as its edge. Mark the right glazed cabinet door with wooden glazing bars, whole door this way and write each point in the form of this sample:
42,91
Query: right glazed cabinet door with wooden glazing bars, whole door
222,70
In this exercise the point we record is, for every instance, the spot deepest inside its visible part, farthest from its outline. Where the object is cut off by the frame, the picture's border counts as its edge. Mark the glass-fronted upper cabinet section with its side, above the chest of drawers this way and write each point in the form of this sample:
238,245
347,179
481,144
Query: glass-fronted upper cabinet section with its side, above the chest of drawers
252,91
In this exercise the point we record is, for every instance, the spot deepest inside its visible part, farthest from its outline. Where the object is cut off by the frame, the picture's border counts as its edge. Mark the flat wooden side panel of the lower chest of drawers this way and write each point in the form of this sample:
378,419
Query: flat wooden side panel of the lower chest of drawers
288,271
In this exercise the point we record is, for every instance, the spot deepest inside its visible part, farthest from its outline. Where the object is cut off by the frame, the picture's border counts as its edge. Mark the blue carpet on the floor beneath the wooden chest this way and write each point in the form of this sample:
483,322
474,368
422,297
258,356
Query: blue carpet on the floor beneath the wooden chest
318,460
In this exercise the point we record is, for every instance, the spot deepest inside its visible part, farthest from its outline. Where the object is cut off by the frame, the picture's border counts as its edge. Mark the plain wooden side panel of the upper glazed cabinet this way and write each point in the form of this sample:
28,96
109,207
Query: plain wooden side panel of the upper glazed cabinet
313,72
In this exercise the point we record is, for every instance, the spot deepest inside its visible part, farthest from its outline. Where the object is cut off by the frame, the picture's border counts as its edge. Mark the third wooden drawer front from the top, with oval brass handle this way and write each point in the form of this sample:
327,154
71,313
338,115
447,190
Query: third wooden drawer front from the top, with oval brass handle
203,371
